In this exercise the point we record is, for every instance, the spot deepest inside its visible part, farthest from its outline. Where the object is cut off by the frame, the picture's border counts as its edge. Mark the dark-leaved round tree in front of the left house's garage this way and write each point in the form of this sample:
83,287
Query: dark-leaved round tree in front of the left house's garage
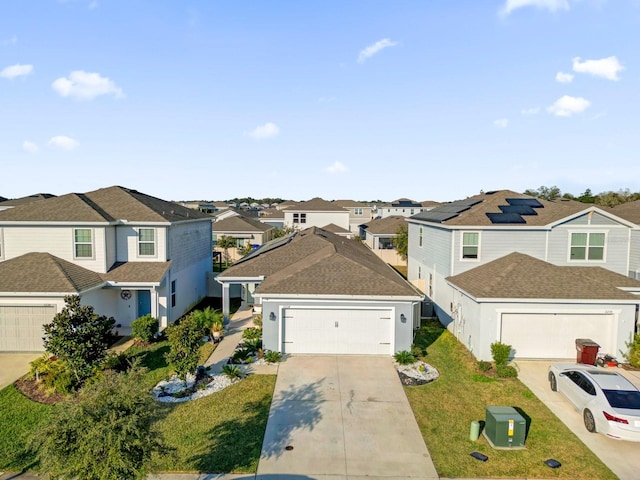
79,336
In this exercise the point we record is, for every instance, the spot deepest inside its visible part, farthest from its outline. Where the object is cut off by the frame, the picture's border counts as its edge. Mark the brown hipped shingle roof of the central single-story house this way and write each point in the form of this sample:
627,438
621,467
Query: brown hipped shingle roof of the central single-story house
317,262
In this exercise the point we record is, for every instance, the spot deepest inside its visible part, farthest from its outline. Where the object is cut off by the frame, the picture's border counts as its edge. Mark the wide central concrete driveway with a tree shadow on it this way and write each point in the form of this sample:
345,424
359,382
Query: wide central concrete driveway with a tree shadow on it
342,417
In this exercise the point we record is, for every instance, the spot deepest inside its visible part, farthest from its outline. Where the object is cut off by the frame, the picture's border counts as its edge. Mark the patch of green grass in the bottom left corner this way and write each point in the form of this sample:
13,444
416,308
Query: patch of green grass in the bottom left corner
19,418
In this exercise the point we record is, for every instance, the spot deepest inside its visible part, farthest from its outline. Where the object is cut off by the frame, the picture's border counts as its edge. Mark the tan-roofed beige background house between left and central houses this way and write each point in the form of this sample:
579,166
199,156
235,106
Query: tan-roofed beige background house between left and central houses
246,232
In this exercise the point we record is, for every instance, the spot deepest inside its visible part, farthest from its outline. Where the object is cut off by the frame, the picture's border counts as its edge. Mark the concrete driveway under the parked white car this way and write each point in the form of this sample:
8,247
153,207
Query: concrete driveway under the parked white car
622,457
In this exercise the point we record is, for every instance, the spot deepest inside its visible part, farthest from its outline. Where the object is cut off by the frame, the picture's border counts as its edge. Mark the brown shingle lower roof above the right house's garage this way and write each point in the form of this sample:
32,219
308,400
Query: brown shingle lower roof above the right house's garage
521,276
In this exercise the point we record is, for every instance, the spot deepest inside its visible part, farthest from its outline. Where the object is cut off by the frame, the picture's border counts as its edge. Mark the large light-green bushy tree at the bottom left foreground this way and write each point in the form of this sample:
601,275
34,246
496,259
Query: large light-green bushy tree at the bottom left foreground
104,433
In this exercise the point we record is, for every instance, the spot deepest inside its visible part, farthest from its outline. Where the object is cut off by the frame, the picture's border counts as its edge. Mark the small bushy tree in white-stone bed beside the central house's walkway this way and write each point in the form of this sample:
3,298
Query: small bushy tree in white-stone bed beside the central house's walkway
185,339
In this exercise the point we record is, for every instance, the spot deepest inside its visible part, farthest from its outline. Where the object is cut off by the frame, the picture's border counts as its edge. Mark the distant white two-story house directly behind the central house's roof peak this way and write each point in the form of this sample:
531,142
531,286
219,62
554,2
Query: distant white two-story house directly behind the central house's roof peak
315,213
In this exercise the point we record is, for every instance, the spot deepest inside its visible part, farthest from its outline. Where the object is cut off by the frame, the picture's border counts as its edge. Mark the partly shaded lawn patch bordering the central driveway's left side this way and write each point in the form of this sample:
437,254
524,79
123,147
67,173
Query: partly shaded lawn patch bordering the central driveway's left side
221,433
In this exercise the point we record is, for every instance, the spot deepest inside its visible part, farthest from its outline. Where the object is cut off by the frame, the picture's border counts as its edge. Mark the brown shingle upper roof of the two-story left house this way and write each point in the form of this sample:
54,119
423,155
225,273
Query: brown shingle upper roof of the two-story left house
103,205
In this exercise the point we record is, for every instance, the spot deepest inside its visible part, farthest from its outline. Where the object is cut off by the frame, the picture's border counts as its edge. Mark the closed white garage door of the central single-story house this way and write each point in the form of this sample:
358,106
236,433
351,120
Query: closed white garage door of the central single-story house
337,331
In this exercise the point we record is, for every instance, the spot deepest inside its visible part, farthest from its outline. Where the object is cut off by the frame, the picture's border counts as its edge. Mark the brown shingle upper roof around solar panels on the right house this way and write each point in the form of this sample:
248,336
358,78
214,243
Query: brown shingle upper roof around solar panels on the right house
490,203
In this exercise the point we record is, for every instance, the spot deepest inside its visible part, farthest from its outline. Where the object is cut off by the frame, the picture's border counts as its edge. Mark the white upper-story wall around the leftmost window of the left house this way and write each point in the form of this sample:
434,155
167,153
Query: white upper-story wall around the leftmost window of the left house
56,240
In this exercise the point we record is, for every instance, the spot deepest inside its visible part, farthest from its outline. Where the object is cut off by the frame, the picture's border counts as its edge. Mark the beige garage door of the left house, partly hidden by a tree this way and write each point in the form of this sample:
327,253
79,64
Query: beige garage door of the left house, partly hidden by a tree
21,327
